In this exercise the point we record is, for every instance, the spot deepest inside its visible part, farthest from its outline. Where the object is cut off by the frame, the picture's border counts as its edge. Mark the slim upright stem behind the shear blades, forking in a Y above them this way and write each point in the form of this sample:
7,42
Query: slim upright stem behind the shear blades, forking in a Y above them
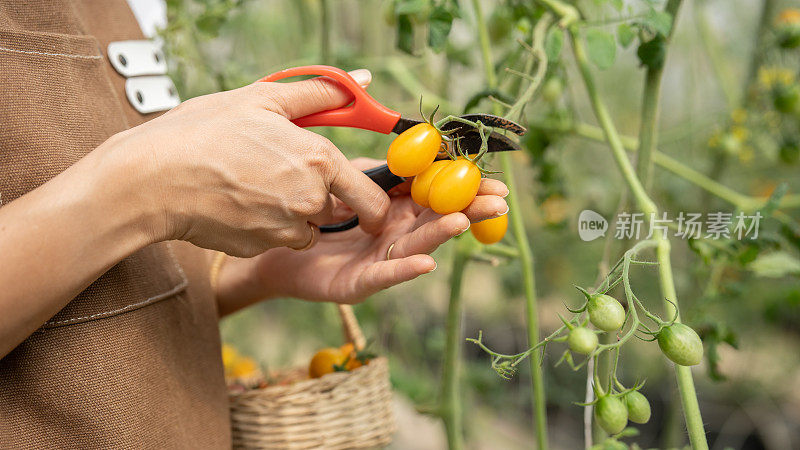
517,225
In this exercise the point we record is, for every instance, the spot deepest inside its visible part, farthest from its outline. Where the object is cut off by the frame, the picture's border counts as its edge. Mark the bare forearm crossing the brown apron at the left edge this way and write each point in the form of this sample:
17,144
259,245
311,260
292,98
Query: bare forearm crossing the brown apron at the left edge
60,237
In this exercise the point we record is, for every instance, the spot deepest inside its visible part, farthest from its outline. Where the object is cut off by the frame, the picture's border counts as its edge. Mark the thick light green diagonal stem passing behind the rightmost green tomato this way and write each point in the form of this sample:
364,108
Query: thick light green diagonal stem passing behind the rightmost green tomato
691,408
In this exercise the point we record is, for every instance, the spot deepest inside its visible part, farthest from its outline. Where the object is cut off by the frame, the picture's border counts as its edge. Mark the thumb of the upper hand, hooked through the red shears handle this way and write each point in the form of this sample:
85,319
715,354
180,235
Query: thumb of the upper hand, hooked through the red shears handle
302,98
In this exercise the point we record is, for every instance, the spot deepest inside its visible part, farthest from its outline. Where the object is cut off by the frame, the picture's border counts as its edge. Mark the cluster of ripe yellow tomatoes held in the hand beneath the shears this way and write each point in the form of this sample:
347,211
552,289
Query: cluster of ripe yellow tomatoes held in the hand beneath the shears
445,186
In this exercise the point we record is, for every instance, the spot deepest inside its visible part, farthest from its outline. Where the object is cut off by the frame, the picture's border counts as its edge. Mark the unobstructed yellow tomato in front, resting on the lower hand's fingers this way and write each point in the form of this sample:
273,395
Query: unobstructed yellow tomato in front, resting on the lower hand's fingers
454,187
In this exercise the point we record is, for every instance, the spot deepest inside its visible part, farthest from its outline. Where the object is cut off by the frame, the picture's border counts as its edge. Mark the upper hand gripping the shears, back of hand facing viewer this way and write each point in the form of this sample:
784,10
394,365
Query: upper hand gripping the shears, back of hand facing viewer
230,172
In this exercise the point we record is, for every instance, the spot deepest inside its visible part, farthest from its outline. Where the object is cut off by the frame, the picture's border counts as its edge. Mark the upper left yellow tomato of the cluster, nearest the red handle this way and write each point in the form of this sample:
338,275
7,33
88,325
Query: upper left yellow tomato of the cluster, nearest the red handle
414,150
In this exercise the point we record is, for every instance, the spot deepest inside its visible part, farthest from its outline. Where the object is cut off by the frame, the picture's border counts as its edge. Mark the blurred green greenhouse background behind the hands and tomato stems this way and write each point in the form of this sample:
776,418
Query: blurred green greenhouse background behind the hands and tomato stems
749,397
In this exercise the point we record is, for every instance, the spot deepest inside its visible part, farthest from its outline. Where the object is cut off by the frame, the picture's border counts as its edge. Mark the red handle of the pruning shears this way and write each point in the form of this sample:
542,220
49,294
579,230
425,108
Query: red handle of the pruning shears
365,112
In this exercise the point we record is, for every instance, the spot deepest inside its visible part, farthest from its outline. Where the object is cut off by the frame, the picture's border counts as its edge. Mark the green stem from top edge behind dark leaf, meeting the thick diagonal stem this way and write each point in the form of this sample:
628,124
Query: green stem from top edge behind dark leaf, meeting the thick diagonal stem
648,130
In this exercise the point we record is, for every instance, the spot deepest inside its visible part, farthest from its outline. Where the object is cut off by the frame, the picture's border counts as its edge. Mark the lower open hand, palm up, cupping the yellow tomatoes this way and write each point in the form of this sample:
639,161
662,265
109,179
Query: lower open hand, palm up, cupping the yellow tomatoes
348,266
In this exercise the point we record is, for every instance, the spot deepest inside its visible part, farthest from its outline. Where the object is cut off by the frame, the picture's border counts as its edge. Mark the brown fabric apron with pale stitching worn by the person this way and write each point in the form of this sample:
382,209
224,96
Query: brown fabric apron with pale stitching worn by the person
134,360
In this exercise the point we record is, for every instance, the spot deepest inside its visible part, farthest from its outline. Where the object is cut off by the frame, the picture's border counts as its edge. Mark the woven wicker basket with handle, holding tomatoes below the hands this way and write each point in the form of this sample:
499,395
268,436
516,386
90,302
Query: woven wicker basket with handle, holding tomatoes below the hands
337,411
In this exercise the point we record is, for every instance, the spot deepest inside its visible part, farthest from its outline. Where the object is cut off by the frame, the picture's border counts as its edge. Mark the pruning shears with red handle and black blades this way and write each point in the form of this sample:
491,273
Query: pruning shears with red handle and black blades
367,113
